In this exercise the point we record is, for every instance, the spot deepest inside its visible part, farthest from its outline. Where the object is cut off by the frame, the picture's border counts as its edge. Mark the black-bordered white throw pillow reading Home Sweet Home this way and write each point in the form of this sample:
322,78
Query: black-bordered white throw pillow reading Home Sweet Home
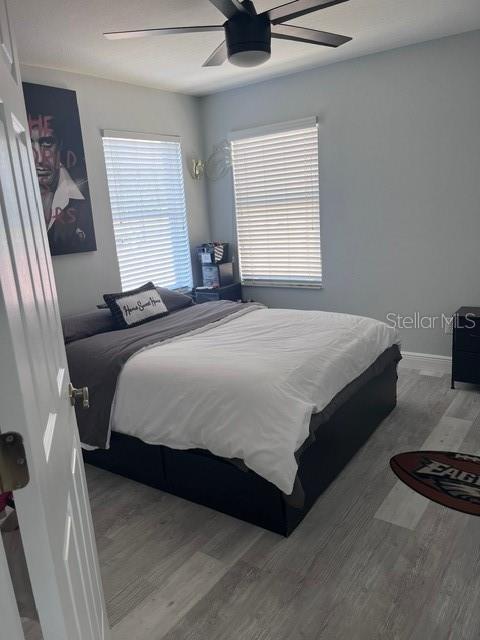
134,307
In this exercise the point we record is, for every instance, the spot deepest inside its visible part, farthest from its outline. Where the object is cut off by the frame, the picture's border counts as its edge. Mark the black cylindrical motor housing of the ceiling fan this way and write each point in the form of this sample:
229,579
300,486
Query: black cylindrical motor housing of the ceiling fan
248,39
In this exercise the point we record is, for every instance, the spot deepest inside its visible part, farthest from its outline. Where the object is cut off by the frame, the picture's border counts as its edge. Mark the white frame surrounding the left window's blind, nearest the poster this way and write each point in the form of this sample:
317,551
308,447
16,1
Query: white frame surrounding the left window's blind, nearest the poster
150,137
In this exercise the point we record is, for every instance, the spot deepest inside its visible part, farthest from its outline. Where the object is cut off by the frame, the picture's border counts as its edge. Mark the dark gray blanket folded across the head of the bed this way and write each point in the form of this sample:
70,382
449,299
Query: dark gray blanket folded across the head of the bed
96,362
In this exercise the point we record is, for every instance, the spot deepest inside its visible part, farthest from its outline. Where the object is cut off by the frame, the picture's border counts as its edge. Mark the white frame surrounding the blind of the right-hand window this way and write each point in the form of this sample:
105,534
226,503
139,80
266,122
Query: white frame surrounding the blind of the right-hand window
280,127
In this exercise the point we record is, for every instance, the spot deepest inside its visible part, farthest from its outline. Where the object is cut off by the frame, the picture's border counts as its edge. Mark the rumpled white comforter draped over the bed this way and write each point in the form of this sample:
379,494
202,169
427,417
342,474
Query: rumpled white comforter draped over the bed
246,387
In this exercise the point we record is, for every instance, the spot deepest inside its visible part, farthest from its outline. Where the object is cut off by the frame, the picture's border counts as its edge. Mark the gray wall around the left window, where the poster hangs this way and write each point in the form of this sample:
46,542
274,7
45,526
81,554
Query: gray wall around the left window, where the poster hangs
82,278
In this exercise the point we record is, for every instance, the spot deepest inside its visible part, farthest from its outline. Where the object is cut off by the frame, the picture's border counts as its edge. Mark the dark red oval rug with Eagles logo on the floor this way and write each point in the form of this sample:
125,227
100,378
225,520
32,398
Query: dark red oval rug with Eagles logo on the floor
451,479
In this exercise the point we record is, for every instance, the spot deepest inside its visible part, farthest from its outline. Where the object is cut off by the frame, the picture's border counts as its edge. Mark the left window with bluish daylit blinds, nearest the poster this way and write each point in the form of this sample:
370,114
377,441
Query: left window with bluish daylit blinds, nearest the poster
145,181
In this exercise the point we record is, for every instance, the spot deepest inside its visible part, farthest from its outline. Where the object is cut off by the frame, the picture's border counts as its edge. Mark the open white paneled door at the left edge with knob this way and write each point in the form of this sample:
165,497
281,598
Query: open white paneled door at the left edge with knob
53,509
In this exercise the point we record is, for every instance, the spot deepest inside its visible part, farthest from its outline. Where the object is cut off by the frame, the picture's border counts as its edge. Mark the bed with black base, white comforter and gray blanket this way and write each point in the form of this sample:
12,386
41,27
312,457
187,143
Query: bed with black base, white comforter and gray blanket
247,410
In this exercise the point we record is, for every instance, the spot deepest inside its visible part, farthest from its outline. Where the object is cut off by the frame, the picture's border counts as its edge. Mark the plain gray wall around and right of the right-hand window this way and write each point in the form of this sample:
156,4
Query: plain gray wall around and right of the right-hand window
399,179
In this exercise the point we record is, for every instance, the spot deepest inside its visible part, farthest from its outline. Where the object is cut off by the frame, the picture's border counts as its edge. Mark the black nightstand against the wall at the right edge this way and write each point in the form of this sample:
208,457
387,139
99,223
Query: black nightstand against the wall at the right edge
466,346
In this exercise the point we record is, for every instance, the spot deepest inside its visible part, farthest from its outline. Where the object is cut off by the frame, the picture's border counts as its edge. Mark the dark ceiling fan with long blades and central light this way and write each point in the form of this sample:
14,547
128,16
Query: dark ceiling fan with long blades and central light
248,34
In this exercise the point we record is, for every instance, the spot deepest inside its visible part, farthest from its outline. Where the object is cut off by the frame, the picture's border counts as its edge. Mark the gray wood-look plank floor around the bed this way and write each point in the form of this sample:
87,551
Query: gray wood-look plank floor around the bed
371,561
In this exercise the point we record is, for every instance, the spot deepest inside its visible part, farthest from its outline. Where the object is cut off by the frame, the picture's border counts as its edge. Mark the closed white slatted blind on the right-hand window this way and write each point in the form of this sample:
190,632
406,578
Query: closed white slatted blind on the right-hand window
277,204
